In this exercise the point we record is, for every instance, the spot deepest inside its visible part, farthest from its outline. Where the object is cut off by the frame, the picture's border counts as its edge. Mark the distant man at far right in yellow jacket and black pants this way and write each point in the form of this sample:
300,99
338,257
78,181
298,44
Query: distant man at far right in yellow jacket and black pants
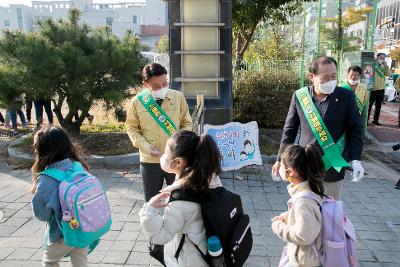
381,70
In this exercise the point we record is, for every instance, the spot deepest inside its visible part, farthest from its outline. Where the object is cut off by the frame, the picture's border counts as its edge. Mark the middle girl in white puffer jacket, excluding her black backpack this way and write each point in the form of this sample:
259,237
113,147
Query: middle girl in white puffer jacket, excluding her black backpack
196,163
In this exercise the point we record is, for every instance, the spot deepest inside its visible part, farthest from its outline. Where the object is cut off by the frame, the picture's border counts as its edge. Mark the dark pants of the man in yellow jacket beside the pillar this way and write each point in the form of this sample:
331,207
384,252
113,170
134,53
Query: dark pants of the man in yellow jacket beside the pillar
153,179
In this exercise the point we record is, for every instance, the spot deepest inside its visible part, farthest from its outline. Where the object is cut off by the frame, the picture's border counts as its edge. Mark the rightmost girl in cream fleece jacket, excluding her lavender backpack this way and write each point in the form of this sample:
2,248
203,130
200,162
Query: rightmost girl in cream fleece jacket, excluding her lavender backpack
301,225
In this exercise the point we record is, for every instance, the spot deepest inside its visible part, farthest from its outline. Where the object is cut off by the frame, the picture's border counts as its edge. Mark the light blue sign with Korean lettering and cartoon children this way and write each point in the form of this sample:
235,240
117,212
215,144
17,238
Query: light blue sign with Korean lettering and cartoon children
238,144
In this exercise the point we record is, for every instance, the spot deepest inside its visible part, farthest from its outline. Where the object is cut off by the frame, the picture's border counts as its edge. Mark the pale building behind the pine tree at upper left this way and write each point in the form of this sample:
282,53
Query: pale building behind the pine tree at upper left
141,17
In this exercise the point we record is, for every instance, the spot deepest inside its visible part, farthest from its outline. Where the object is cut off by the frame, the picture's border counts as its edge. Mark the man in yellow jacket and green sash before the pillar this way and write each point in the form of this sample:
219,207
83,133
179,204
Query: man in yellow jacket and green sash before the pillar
152,117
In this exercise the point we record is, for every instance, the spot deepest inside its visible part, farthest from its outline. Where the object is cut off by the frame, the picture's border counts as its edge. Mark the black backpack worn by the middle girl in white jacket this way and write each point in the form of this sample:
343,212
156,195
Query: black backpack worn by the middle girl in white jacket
223,216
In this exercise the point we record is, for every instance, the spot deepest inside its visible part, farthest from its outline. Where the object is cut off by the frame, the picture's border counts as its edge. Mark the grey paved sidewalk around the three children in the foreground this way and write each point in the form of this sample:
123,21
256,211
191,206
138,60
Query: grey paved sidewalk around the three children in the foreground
372,205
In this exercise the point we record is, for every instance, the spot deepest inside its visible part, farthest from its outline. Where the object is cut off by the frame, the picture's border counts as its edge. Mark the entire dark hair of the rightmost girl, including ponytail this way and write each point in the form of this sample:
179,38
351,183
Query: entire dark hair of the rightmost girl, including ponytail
307,161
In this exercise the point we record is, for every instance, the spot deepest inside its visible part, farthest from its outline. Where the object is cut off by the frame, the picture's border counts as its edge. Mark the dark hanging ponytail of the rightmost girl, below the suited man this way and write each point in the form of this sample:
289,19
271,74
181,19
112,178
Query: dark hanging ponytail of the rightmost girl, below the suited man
315,169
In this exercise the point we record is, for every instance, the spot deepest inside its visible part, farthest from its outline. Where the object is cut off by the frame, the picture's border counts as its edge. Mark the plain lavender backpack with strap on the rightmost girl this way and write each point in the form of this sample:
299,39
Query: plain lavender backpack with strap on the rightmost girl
339,237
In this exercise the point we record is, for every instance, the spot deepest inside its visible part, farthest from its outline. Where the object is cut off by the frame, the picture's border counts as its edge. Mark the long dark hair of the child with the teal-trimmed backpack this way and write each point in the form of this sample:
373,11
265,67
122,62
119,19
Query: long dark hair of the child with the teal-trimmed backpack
52,145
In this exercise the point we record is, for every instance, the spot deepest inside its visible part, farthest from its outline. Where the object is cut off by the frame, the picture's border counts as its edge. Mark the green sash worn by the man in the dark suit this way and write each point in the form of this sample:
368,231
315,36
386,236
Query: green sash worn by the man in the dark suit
332,151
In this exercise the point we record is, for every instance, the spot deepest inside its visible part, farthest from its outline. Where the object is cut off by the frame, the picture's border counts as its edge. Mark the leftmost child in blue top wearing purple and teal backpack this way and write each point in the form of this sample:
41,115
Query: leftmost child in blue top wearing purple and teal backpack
69,199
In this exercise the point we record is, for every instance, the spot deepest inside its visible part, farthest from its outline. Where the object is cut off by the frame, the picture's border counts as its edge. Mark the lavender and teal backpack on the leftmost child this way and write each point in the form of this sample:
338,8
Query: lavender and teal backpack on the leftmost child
86,212
